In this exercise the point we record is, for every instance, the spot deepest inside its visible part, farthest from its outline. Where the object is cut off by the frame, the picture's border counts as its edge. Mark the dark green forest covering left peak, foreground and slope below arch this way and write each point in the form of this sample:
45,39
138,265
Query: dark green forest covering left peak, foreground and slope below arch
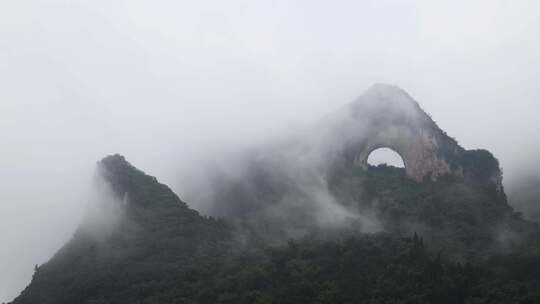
470,248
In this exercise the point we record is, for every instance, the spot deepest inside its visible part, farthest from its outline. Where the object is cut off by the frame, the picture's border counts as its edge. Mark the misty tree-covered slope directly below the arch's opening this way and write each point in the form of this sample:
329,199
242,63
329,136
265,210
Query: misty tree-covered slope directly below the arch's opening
466,219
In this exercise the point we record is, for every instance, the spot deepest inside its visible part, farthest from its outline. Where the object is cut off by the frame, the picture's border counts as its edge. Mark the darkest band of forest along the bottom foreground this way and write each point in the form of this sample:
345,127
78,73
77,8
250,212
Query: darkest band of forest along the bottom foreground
370,269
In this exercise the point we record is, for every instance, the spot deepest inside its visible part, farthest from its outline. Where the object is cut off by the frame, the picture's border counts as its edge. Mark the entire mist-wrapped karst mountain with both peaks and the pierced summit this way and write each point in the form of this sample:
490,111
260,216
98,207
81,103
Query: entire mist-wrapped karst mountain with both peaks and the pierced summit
306,219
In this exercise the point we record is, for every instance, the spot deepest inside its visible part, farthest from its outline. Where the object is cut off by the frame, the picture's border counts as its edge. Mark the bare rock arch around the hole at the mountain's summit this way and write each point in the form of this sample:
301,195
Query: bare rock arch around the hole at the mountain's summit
387,116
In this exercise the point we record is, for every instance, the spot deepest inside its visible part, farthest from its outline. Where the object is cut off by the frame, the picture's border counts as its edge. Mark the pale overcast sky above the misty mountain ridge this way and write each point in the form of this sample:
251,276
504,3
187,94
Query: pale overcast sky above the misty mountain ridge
168,83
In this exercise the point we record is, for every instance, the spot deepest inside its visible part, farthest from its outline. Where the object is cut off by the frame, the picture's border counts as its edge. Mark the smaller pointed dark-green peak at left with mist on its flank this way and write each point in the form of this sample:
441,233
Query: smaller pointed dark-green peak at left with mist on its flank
151,237
